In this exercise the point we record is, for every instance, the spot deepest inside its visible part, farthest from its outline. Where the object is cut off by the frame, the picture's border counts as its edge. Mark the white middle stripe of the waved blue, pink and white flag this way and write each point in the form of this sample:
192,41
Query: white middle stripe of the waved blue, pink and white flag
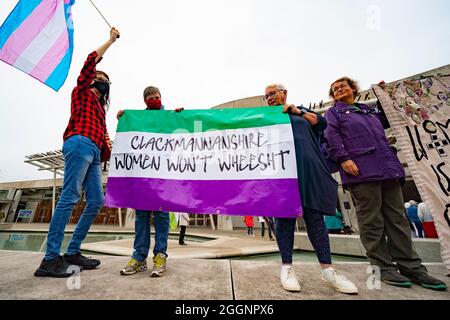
45,40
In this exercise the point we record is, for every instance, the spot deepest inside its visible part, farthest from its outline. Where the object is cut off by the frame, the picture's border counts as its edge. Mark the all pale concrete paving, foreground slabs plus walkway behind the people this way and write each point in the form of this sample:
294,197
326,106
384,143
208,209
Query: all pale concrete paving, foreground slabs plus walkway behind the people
193,274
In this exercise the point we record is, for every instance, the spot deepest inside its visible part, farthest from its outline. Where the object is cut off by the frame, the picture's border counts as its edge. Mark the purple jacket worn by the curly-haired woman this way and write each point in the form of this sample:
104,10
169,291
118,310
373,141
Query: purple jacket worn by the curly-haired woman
355,132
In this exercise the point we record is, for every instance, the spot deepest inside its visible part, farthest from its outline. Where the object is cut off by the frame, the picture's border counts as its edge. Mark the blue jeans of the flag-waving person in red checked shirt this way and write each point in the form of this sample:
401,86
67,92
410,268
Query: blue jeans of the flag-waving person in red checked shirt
82,169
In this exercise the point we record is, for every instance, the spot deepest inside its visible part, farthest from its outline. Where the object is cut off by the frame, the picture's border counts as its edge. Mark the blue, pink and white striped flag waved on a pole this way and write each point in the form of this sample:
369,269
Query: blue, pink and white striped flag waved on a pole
37,38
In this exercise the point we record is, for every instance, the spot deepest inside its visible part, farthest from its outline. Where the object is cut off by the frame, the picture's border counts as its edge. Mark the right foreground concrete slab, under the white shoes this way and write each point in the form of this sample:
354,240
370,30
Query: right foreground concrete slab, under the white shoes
260,281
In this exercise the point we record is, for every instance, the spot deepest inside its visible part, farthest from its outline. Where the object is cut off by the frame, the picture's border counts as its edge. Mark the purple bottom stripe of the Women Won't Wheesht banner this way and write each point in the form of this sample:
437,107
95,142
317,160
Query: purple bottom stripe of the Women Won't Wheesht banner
274,198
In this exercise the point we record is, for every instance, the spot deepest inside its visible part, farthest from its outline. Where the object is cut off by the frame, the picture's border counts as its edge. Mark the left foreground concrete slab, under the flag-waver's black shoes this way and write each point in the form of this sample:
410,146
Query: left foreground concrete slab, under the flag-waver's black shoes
187,279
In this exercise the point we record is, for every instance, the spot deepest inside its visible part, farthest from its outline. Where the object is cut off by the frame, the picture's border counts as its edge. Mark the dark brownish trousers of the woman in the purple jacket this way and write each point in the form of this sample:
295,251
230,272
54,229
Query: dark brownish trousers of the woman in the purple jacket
384,229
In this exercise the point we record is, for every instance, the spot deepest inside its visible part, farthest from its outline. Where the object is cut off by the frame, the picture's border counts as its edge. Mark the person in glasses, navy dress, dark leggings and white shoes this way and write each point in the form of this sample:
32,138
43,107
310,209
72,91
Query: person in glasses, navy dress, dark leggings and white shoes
318,192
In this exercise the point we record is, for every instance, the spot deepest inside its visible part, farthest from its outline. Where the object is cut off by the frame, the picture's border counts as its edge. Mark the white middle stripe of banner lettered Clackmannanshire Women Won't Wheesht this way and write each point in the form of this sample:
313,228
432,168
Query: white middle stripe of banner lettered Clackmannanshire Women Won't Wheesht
271,155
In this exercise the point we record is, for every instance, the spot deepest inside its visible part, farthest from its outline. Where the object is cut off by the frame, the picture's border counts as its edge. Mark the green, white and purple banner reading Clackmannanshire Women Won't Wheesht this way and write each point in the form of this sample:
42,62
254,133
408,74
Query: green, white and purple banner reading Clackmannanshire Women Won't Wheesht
230,162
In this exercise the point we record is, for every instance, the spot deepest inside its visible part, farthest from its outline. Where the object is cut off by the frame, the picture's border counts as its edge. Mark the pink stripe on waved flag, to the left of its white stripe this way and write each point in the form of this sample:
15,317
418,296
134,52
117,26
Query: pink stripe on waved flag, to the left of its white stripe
28,30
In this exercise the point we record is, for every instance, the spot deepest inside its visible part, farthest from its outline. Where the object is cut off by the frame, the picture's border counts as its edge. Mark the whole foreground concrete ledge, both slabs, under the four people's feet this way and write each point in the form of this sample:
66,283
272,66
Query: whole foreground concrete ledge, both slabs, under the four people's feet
193,279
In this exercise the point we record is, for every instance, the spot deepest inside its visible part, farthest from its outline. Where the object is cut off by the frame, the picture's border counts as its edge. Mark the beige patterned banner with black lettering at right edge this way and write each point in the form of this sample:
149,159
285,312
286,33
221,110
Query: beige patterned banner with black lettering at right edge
419,113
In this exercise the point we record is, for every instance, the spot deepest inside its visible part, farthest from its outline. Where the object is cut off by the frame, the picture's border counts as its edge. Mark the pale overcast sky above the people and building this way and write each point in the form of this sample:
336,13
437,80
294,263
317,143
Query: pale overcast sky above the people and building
202,53
